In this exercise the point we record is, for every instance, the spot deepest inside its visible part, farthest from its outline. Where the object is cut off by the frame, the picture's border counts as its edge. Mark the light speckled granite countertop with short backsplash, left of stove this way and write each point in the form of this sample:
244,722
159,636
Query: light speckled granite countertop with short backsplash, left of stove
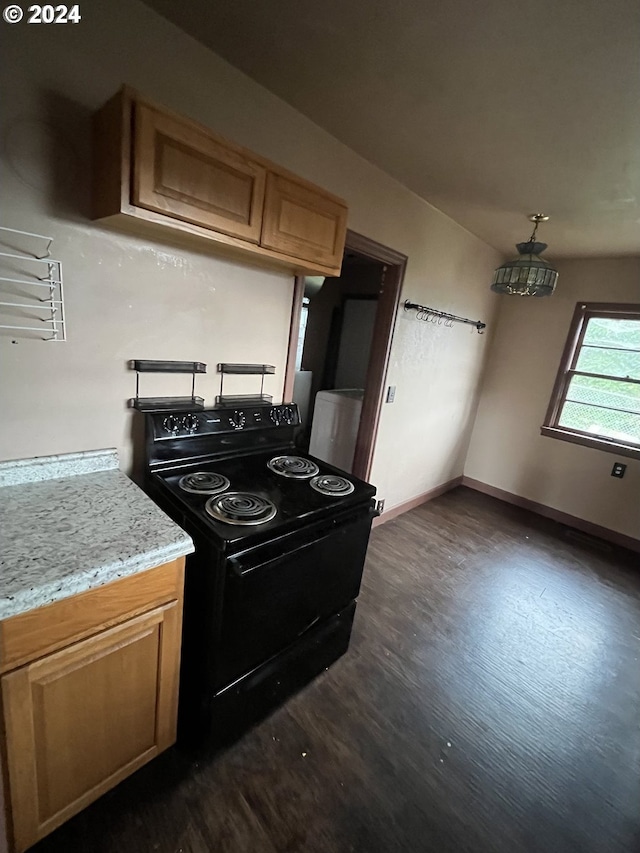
73,522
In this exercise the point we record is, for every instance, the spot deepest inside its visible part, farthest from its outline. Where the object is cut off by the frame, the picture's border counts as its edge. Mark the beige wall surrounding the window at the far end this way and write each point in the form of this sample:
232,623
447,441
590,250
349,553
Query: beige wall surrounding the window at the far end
507,449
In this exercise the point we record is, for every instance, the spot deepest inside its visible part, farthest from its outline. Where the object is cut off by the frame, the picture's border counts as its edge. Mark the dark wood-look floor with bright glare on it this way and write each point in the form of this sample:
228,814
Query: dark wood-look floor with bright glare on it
490,701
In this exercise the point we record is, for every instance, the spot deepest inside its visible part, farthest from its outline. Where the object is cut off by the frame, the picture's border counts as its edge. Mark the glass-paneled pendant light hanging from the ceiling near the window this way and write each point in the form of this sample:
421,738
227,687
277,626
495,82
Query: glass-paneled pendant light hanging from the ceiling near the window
528,274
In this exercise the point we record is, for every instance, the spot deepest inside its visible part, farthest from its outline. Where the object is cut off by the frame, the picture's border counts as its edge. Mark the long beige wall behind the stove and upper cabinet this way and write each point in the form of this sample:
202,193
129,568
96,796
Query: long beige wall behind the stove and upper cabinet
127,298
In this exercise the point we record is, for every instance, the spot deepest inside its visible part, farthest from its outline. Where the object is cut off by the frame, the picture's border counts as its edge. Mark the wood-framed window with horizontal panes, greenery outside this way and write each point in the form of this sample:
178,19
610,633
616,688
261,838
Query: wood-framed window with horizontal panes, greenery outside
596,398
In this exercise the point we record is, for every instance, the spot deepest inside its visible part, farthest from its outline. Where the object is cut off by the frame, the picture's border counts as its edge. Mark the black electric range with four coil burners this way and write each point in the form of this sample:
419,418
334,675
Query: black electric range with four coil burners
281,539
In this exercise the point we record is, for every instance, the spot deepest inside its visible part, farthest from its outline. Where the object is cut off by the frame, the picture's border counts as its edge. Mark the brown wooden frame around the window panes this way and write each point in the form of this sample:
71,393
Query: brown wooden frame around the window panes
584,311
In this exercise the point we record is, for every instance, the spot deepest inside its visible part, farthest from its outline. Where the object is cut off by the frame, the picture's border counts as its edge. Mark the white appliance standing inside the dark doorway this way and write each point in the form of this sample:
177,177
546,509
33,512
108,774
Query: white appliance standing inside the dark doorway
336,419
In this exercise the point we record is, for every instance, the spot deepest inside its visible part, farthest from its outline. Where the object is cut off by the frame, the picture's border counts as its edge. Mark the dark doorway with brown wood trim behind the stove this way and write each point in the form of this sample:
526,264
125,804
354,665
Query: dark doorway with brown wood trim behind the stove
339,345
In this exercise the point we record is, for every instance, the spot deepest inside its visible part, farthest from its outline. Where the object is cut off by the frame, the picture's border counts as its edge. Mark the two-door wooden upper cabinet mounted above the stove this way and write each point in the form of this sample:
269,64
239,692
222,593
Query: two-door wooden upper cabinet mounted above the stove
168,176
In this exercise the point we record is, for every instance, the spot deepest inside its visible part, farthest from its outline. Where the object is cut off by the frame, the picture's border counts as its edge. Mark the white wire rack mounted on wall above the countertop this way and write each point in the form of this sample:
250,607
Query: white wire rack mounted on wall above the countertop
31,288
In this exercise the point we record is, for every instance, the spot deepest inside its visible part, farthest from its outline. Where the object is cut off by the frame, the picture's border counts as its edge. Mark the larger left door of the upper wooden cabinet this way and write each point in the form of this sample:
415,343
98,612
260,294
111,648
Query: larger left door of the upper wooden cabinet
186,174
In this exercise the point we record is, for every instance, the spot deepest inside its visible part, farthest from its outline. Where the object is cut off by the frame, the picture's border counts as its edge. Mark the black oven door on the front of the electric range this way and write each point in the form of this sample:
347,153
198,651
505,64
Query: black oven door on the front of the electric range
275,593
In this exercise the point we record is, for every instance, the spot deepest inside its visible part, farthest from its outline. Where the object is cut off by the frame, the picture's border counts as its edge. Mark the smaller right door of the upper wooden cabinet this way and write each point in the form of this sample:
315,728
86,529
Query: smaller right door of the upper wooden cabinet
302,222
